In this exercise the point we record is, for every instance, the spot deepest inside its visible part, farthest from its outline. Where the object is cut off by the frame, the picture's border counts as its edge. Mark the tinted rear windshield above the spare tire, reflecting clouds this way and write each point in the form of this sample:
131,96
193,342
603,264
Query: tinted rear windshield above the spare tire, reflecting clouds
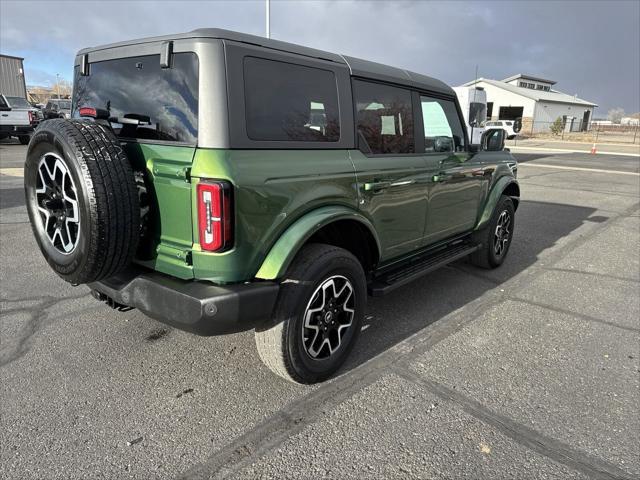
144,101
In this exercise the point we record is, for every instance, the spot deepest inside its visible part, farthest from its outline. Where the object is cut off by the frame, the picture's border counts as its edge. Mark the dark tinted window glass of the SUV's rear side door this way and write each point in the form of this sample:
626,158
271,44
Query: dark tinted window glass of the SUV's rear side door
385,117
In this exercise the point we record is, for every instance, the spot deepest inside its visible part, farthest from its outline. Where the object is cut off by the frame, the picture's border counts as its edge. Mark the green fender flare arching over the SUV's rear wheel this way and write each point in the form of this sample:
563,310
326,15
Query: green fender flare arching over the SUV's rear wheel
282,253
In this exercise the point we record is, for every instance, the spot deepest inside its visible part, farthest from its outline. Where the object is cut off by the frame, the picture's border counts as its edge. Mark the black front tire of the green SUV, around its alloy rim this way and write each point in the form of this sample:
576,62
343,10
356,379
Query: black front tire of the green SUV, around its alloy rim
485,256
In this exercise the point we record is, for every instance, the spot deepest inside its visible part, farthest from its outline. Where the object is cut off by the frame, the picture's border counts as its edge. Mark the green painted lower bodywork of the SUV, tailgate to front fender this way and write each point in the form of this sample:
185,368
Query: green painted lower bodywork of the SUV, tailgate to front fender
281,197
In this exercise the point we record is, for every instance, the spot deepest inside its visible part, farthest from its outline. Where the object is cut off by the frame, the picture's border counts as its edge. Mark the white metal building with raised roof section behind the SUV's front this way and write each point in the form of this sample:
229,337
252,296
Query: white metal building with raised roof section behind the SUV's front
535,101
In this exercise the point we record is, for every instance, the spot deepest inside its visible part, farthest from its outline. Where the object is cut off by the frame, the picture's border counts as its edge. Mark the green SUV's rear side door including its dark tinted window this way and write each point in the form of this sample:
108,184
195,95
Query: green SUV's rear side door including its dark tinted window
391,175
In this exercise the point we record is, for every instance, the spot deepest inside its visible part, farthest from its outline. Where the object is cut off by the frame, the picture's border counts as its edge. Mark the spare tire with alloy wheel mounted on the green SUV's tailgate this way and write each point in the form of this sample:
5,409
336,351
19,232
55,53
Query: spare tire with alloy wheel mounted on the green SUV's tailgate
82,199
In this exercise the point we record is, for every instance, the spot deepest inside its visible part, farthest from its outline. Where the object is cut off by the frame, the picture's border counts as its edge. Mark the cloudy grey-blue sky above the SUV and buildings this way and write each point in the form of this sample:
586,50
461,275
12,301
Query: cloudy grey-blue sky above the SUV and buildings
590,48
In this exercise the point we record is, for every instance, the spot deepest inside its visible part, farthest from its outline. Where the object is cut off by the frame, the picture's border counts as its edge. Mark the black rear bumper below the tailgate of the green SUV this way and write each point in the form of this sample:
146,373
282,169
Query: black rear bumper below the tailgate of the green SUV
195,306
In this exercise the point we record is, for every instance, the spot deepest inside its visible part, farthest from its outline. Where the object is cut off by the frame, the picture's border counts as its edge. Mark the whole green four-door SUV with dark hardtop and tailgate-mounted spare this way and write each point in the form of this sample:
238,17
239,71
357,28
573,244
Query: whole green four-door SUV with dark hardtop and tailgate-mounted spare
221,182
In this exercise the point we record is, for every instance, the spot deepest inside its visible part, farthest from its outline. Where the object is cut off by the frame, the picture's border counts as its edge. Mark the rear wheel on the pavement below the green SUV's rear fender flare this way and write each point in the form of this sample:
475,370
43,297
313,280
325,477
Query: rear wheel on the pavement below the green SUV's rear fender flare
318,315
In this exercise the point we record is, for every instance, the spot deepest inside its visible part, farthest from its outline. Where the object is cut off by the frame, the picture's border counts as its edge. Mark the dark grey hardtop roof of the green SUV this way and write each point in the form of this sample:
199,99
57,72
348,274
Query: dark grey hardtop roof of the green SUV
358,67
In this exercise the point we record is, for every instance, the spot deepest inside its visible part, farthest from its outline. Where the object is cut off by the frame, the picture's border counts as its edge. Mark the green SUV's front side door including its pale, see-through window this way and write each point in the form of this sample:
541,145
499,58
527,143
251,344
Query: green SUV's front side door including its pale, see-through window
456,179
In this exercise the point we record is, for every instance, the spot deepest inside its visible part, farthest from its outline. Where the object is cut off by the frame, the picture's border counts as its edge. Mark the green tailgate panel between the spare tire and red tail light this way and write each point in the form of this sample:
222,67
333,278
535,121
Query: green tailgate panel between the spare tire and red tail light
170,218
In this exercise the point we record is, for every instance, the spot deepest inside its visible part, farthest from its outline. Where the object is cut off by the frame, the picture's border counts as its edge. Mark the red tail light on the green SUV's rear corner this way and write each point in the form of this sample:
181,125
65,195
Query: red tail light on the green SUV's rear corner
215,215
